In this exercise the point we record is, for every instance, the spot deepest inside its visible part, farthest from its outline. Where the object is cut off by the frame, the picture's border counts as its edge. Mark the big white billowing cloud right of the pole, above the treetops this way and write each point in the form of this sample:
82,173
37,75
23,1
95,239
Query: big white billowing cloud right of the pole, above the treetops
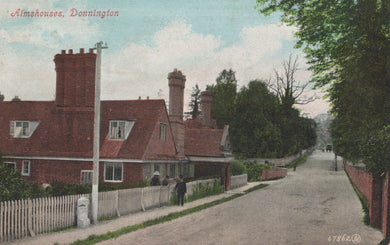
143,69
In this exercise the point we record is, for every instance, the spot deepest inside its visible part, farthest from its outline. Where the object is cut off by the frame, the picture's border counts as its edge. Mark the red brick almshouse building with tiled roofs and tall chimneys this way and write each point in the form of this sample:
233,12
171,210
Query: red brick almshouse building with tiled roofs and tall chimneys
52,141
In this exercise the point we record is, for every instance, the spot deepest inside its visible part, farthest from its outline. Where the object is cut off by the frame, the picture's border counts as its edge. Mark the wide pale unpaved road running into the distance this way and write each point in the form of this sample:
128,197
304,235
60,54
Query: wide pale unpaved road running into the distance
314,205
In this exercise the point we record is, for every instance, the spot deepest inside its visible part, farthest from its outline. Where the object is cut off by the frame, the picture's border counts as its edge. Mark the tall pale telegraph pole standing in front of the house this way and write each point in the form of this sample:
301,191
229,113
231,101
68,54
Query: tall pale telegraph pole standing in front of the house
96,133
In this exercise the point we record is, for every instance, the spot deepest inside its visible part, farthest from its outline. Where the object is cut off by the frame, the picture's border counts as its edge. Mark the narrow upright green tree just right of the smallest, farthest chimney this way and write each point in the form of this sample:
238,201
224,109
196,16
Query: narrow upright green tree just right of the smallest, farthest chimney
225,91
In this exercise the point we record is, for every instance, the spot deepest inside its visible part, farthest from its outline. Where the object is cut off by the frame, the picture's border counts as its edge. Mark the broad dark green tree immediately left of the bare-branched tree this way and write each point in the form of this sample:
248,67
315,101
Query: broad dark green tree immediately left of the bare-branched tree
253,132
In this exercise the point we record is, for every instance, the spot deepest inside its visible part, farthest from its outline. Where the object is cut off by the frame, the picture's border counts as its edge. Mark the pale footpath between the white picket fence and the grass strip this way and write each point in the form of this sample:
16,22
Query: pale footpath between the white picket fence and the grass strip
72,235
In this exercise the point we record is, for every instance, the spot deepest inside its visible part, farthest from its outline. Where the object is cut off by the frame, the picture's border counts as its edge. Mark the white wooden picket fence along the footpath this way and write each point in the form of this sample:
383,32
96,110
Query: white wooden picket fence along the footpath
23,218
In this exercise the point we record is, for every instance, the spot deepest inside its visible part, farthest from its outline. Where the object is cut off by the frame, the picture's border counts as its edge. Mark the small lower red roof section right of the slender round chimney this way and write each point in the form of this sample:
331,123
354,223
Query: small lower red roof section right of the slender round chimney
203,142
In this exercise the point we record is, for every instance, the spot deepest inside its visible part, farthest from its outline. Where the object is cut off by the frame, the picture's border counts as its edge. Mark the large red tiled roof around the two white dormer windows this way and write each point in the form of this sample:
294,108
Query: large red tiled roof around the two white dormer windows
70,134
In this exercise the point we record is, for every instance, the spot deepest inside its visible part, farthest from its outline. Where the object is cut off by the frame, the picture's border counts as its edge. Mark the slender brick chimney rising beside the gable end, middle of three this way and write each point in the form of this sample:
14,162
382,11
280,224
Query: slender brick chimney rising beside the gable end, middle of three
176,82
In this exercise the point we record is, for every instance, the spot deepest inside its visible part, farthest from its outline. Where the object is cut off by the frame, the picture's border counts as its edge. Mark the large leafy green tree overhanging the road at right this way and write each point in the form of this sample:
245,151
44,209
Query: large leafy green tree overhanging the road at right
347,44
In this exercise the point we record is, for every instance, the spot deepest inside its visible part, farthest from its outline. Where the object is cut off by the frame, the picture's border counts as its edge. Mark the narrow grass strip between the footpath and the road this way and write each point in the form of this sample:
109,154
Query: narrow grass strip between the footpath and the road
110,235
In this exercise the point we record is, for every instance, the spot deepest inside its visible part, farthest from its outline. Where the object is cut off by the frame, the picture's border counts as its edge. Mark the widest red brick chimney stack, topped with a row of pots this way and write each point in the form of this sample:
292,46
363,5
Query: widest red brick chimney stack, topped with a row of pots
75,84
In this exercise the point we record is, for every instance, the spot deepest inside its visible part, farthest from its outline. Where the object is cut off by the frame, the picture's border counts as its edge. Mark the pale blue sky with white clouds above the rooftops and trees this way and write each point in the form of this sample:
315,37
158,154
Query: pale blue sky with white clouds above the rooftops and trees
146,40
